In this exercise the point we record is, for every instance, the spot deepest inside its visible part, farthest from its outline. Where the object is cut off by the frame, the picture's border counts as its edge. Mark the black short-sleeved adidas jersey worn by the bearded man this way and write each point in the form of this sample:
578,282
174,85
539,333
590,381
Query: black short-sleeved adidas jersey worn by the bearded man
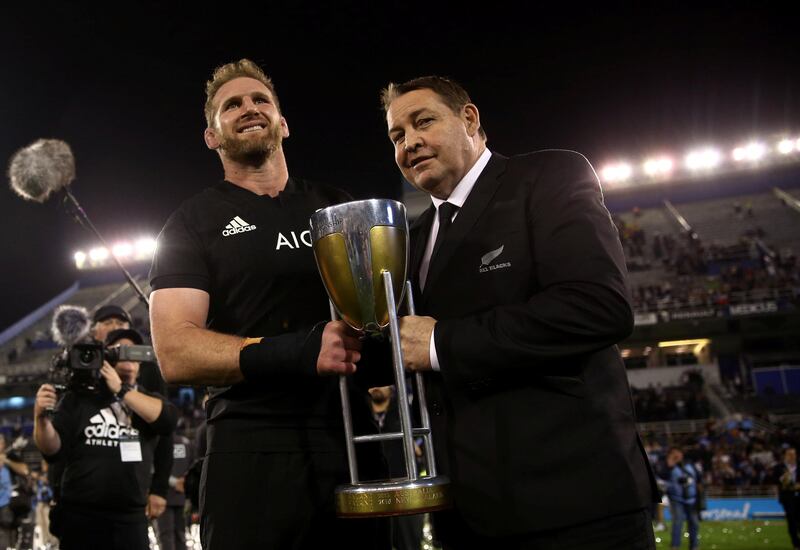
253,255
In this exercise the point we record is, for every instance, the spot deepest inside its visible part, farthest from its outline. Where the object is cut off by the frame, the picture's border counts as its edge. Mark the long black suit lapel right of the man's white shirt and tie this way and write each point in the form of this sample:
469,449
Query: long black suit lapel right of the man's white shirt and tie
477,201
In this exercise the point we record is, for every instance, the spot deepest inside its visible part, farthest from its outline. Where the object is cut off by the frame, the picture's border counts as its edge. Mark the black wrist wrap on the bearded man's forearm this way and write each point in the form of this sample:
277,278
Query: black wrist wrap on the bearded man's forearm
288,354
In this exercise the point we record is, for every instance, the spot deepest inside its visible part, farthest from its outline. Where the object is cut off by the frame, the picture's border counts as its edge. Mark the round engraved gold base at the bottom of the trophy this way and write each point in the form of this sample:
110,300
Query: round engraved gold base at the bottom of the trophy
393,498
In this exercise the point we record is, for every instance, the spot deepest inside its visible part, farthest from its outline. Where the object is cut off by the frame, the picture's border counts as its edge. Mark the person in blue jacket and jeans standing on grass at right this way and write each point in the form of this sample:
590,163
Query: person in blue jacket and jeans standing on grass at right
682,479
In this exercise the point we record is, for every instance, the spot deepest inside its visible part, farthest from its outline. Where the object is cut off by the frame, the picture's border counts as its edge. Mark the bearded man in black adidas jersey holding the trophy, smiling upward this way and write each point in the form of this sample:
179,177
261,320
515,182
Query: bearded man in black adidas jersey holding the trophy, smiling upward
238,304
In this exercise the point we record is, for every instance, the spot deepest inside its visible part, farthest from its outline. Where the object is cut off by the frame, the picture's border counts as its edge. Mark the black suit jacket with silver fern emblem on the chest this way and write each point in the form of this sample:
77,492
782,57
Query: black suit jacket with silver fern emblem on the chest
531,413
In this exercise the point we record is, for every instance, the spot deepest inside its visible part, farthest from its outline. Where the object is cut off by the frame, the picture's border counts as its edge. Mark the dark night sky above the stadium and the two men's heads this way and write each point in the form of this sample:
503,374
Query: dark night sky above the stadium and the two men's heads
126,91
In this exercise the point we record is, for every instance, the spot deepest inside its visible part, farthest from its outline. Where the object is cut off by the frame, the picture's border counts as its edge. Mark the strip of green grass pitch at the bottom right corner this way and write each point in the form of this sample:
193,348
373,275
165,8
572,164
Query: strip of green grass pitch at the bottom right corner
735,535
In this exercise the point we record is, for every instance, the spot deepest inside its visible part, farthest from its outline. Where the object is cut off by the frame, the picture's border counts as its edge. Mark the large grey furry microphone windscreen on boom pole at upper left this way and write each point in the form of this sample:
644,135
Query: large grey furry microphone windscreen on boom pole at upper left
41,168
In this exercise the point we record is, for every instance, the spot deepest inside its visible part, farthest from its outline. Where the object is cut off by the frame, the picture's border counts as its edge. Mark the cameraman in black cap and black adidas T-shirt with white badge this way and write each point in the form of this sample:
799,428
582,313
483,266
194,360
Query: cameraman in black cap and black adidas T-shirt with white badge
106,439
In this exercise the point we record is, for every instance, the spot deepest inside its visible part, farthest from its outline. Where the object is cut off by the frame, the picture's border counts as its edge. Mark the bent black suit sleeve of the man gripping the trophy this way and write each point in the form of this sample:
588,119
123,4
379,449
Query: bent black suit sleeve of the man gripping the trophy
579,303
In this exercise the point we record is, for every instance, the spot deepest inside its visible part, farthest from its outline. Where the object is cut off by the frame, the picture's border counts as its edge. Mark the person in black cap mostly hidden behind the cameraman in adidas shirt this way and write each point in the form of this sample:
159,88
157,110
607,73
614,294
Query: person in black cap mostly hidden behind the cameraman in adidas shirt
113,317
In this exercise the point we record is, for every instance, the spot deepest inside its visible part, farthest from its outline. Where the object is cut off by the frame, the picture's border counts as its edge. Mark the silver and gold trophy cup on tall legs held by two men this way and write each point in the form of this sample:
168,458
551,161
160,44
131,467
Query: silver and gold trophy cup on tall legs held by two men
361,248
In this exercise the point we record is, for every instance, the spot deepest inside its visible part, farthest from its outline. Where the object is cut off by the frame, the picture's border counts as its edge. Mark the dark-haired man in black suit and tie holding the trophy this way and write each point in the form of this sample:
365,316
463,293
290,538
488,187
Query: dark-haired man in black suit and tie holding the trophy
521,297
